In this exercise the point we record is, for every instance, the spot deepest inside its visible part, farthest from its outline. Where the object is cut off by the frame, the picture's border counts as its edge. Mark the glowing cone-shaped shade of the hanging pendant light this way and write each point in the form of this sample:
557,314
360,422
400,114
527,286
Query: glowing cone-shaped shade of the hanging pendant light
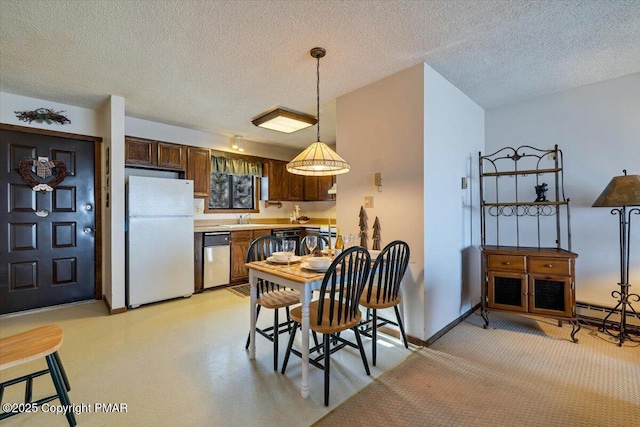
318,160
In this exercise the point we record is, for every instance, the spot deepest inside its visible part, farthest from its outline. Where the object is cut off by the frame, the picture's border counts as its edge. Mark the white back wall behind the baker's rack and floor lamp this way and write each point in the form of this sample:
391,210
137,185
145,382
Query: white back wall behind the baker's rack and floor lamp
598,129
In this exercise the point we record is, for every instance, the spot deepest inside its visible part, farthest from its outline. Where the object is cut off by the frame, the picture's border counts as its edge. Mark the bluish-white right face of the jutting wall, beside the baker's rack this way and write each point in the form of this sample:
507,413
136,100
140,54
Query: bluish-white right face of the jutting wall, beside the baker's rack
454,134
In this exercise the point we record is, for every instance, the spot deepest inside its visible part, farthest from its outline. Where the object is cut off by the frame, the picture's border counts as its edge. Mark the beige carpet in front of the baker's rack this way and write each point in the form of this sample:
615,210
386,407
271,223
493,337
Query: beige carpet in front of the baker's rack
522,371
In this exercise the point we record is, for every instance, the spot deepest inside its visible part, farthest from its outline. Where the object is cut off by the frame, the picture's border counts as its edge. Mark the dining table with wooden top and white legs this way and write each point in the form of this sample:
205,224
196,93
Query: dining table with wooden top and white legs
294,277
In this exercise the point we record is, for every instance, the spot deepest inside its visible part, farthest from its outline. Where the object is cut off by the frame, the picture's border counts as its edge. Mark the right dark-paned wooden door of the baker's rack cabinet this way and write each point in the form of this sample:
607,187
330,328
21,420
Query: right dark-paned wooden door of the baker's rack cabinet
550,295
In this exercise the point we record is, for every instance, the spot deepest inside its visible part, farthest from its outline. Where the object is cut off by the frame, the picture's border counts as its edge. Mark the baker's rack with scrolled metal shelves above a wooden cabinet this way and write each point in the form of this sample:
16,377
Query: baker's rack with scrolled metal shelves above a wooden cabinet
537,279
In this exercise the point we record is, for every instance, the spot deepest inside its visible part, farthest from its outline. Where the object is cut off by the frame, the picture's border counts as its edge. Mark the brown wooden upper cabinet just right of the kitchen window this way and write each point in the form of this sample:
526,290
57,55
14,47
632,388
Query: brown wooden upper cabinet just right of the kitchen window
280,184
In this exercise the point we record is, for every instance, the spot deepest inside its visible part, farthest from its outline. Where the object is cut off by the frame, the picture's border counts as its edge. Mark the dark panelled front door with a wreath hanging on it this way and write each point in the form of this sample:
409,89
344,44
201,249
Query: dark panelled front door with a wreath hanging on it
47,238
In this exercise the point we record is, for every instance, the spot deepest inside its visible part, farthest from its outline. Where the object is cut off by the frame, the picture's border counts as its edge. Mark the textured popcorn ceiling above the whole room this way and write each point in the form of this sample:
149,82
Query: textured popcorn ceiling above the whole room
214,65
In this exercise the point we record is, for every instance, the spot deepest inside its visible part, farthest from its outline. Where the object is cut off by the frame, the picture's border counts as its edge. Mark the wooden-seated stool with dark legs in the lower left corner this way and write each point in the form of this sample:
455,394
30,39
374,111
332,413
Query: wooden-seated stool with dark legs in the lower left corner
31,345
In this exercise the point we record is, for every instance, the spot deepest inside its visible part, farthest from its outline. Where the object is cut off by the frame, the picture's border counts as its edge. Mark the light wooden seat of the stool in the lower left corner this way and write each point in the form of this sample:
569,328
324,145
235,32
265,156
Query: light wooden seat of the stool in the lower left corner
30,345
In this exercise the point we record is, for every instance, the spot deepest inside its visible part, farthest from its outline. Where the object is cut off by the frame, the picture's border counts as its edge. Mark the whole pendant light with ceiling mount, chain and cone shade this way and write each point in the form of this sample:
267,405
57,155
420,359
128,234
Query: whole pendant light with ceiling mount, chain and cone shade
318,159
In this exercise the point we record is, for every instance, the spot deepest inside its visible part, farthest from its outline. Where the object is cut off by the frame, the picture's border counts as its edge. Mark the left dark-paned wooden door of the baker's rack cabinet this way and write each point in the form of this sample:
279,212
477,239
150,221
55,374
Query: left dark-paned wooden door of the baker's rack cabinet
508,291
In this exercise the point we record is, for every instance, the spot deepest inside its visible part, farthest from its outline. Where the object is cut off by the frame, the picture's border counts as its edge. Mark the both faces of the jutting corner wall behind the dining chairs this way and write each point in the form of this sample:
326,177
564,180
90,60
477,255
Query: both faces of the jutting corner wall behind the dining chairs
384,127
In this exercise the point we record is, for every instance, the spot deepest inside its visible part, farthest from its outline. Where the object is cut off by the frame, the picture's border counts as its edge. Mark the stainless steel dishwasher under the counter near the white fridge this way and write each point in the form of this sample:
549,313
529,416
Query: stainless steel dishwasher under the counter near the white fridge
216,259
